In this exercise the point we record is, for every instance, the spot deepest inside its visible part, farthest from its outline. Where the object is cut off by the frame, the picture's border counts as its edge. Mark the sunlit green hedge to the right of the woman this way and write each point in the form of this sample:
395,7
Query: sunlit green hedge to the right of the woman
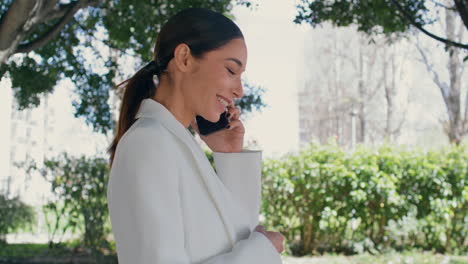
325,199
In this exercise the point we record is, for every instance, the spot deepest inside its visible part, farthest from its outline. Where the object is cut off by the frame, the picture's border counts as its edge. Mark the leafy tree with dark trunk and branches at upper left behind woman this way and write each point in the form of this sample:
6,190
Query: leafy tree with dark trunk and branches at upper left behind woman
42,42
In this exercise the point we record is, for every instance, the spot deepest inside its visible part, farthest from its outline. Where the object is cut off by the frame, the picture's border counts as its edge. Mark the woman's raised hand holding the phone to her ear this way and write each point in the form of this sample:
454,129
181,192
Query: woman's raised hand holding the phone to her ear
226,140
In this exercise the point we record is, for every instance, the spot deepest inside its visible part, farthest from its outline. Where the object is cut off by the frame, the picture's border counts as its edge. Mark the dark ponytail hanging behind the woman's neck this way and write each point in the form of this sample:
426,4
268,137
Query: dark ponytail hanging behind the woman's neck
137,88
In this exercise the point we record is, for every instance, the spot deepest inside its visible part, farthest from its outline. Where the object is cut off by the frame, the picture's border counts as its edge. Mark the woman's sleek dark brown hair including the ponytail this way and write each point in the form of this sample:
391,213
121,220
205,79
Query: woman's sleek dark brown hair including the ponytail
201,29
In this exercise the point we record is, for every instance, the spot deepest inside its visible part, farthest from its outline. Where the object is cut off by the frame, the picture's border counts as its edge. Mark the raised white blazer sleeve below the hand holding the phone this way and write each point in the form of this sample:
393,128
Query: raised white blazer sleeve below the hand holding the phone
241,173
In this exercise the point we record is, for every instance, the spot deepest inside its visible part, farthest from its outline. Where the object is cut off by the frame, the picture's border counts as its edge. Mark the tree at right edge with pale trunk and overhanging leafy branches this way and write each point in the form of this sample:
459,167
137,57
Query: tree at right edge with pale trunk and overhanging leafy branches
396,17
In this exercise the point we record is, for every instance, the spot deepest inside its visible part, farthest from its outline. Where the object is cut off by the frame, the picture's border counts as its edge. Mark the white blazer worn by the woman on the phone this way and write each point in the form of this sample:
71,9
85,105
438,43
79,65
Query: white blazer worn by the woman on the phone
168,206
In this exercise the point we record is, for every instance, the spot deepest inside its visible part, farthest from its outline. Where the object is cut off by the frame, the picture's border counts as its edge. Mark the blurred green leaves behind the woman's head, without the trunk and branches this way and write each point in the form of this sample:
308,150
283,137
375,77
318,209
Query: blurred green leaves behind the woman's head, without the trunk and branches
87,50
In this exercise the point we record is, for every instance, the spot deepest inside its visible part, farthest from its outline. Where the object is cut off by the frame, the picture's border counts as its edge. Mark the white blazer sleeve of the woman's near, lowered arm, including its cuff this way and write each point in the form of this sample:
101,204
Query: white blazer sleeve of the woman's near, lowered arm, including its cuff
145,209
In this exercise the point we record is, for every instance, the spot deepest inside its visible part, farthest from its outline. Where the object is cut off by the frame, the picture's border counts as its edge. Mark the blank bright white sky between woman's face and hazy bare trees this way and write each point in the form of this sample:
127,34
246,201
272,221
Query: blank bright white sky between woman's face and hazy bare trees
275,48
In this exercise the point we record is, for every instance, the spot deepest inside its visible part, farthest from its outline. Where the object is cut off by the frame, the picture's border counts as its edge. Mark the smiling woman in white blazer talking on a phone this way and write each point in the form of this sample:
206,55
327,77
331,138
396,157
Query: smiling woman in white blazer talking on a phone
166,203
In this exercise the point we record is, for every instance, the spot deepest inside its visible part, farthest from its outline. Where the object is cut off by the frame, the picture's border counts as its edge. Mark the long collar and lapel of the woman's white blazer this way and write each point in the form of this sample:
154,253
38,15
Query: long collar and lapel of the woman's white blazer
154,109
